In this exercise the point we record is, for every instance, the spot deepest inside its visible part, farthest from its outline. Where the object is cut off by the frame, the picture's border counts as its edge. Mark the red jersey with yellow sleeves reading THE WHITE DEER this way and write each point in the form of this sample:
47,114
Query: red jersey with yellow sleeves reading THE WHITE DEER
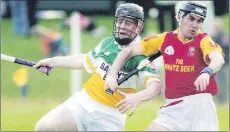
183,61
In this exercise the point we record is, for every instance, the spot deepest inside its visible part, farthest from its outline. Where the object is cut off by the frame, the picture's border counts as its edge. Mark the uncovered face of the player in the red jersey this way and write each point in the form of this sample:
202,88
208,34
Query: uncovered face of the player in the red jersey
190,25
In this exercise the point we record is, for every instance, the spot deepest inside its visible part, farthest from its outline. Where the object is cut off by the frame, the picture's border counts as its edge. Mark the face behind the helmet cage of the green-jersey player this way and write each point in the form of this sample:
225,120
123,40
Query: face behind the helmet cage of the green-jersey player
126,27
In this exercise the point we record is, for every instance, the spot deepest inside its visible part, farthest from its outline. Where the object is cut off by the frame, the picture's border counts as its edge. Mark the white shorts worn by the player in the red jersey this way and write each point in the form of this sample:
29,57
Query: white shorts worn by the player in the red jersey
190,113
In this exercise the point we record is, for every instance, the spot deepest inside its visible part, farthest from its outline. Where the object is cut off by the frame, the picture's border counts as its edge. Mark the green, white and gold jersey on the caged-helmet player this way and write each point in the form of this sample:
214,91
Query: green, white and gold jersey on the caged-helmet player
99,61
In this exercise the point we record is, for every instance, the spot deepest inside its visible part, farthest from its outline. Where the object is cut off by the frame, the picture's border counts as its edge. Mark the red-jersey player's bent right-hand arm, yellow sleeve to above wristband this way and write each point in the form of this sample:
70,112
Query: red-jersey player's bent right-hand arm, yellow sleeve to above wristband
212,53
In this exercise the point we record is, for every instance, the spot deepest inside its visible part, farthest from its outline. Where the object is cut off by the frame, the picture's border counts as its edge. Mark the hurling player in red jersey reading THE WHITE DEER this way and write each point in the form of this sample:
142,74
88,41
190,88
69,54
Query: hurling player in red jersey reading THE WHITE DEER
191,59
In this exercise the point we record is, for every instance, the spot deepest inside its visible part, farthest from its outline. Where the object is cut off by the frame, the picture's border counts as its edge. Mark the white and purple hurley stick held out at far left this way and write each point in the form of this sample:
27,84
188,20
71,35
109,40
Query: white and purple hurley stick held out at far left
22,62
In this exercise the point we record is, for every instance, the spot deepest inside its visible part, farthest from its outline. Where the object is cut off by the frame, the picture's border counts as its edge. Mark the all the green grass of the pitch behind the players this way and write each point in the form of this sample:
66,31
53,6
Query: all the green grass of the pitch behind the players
47,92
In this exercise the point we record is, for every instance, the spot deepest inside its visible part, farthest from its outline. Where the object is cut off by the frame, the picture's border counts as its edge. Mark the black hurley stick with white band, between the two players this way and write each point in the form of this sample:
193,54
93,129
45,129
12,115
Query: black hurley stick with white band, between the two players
139,67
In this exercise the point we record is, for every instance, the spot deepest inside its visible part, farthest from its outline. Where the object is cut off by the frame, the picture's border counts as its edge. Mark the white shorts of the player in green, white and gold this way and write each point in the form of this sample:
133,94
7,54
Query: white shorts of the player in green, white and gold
91,115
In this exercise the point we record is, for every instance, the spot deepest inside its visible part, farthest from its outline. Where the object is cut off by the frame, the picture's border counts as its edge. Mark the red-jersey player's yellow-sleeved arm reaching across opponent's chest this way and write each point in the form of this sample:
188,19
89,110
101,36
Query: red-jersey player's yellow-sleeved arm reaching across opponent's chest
148,46
